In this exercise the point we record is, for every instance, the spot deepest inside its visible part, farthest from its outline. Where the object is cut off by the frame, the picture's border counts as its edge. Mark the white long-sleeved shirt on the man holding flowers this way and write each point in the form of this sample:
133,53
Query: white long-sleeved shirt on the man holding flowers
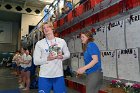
53,68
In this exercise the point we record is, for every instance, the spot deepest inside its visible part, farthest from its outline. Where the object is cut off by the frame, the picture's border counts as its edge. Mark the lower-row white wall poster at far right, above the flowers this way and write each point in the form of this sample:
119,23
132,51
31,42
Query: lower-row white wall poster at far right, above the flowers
128,64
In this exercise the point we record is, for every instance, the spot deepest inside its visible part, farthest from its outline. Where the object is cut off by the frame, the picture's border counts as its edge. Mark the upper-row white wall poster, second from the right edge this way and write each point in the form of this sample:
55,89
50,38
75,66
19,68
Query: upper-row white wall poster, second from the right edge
116,35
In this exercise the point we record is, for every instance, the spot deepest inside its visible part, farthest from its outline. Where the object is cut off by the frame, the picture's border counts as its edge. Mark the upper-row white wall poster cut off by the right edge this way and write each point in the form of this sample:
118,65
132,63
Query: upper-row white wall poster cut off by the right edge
133,30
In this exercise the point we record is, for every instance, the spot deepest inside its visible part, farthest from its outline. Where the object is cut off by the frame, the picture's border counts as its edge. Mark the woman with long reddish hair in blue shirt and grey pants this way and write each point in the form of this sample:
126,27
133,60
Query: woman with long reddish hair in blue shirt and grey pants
92,63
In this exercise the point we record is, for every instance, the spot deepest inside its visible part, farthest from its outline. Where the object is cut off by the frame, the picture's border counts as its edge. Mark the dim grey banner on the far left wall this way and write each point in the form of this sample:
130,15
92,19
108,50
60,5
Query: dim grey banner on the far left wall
5,32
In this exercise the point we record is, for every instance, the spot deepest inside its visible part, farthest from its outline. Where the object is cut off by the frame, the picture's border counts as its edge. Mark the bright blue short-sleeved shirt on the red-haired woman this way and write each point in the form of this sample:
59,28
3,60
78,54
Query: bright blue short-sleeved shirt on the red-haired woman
92,49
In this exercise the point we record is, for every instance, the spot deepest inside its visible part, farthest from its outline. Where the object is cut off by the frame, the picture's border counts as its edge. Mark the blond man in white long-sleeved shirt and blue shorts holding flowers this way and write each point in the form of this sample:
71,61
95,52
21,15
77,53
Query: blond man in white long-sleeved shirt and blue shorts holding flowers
49,54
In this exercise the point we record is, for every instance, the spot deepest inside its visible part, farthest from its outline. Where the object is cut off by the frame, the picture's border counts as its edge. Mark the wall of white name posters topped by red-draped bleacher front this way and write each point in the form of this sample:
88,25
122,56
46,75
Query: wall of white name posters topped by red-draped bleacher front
116,30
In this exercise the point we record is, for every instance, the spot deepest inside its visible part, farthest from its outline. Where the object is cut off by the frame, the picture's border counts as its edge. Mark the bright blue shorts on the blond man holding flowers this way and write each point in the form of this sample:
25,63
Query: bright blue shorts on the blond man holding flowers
56,84
